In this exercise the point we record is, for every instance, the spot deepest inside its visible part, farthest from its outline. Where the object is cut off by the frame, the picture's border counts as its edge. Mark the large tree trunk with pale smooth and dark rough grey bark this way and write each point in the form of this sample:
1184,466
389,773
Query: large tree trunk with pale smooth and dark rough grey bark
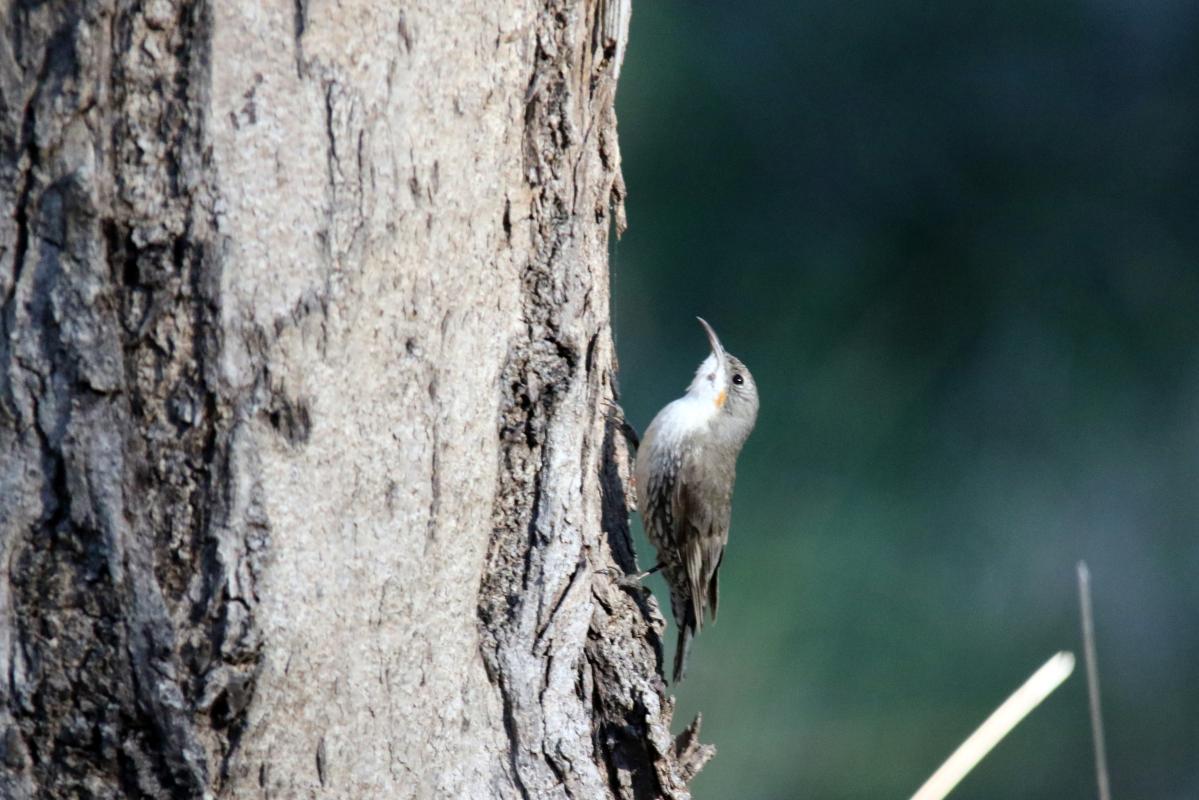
308,486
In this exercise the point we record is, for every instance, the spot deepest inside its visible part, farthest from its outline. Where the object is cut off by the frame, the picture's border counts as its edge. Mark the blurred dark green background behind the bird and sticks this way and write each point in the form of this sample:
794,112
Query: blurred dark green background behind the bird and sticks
957,245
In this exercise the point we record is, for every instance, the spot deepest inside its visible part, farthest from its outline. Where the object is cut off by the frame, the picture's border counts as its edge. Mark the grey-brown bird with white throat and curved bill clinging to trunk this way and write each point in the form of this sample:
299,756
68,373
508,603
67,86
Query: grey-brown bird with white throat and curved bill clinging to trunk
685,470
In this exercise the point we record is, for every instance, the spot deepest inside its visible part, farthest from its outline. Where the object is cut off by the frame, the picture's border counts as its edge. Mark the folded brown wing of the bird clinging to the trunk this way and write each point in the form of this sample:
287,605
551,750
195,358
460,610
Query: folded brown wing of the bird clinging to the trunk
702,516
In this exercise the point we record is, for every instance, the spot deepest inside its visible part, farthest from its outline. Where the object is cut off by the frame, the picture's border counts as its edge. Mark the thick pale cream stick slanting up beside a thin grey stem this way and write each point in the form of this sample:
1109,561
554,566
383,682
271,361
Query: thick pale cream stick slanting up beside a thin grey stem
1002,721
